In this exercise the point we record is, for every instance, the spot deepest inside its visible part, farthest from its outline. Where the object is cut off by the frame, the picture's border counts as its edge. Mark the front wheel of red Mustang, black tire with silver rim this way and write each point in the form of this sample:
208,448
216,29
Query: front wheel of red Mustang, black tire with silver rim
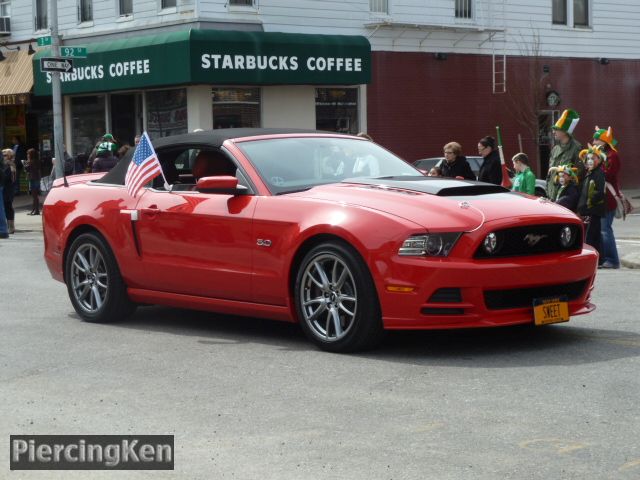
336,300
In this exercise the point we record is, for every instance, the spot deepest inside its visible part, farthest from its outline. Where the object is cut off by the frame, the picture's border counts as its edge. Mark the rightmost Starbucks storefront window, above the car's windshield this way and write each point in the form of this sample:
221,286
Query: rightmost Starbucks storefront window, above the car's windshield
337,109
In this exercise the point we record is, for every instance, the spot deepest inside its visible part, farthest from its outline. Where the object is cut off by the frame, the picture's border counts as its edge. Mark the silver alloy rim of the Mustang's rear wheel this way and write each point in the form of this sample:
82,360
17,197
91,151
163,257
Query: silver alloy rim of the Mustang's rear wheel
89,278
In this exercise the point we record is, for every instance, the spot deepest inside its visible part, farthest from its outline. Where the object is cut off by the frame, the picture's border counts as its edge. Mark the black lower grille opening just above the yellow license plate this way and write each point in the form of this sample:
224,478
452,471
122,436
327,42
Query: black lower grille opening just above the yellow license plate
523,297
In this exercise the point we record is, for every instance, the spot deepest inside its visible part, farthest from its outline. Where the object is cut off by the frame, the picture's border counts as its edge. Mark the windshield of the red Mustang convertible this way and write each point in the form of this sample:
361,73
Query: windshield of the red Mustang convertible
294,164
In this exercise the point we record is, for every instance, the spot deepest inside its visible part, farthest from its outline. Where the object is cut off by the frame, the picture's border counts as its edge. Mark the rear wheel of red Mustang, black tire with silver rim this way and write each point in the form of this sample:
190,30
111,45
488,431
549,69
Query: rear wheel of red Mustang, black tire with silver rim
94,283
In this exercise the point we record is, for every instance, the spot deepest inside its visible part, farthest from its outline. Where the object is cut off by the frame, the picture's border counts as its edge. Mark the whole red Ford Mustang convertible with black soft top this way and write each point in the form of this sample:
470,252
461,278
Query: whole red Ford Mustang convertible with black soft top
331,231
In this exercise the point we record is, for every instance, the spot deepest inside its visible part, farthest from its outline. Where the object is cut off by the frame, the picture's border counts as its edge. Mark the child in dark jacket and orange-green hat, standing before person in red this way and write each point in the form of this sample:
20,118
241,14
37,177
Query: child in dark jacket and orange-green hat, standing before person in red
592,205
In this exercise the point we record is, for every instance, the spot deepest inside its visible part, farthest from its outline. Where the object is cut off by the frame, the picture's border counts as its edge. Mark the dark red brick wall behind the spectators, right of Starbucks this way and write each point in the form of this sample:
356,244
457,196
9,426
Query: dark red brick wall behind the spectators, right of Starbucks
416,103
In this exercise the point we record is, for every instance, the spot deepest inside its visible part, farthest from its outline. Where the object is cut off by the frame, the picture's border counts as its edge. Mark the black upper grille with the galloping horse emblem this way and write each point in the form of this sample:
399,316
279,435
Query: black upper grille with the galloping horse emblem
531,240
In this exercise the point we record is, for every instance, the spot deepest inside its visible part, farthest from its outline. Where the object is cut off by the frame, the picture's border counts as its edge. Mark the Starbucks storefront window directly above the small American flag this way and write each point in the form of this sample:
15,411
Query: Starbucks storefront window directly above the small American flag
166,112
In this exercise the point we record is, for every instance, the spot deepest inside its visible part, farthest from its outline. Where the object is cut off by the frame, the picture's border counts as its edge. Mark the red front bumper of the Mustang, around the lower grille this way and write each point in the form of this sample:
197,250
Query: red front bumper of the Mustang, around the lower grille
477,292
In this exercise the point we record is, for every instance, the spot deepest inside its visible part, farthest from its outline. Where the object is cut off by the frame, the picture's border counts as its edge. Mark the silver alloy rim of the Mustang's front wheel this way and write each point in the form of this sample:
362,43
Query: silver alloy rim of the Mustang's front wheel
328,297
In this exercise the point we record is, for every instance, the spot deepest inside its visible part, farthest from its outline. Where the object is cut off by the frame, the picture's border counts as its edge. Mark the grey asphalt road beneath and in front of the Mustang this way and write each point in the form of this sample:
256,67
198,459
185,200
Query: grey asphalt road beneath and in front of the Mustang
252,399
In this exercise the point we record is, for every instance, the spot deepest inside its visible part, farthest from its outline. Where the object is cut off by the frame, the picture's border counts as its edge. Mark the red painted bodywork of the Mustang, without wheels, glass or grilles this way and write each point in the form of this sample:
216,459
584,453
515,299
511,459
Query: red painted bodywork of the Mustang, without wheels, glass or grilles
202,251
